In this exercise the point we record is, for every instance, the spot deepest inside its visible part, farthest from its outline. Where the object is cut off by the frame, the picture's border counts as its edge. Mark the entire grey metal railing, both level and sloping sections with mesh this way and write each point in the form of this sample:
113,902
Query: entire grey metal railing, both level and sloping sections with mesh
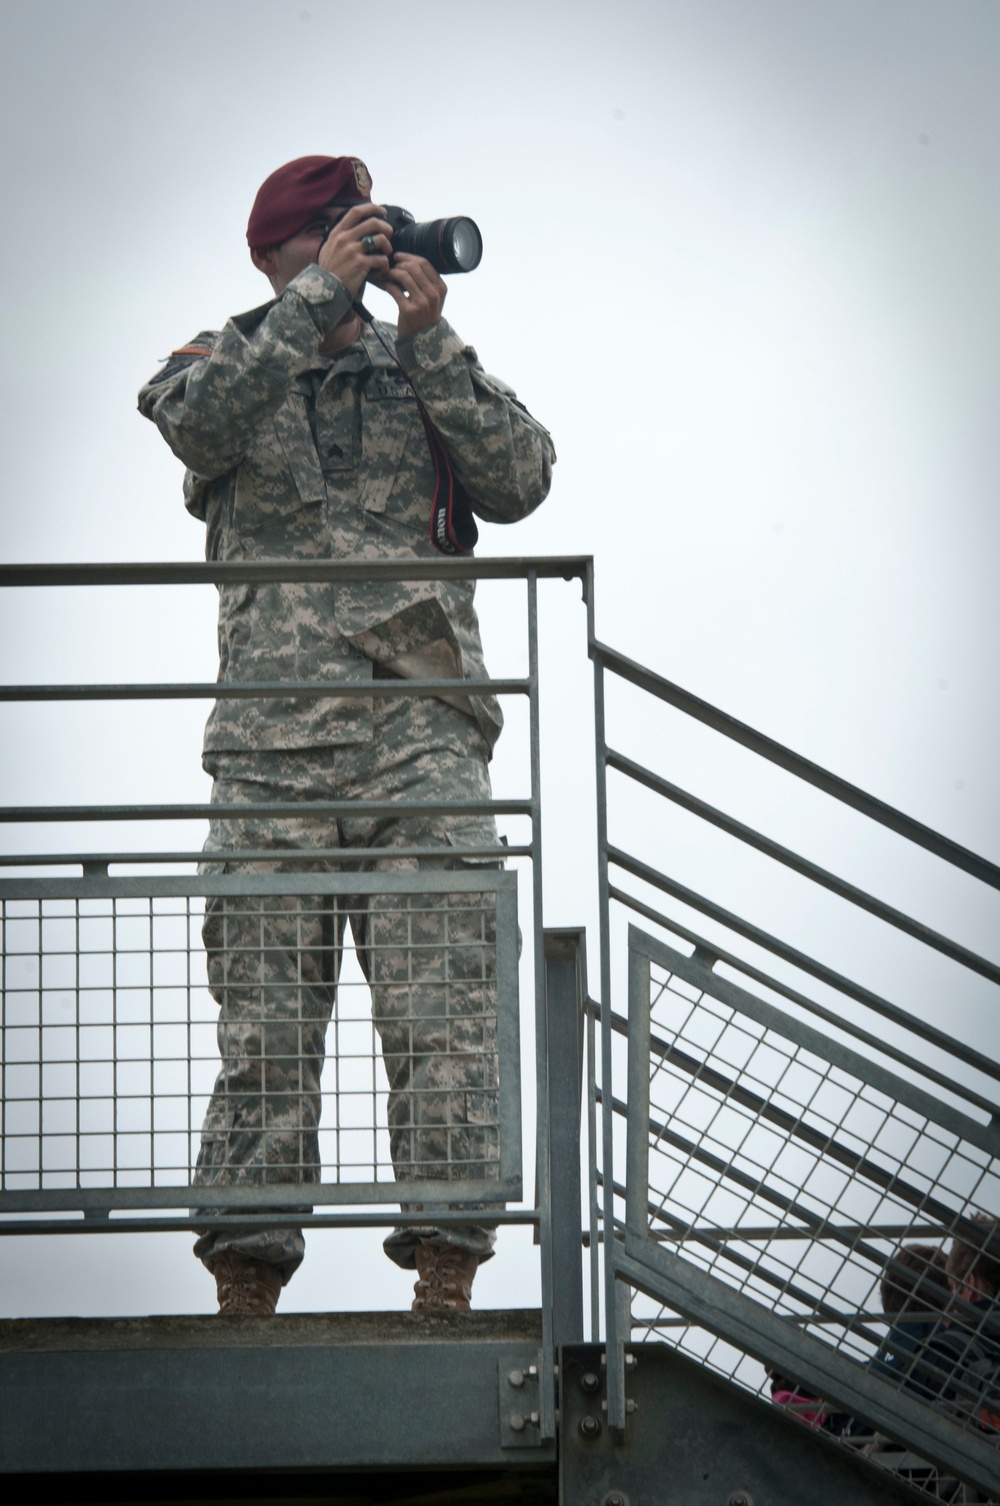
766,1186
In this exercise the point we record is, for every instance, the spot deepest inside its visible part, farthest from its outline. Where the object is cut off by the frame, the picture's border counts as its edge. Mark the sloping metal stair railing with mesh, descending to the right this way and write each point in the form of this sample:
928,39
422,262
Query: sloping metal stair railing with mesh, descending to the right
778,1150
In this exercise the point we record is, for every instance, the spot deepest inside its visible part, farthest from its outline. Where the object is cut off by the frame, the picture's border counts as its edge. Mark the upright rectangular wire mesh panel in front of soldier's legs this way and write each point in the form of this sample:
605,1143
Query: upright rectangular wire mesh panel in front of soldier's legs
224,1032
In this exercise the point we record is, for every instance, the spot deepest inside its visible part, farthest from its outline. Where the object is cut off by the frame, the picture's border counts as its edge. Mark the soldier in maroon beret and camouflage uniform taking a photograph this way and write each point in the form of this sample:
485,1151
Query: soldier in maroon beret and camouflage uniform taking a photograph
308,434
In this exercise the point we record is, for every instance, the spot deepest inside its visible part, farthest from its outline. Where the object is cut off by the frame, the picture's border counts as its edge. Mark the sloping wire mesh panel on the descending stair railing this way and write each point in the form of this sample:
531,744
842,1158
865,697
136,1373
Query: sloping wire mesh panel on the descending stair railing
808,1209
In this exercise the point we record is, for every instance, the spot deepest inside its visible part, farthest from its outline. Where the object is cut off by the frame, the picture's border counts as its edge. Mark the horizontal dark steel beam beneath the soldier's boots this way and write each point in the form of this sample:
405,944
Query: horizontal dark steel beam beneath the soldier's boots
297,1392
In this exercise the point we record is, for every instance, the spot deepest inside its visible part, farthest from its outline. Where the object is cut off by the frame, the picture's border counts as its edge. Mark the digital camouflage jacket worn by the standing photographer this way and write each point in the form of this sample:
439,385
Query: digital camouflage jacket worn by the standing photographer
299,456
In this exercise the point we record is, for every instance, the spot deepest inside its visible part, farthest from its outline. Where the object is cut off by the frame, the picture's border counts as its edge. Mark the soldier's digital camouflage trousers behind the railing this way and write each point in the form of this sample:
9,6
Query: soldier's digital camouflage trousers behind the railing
430,959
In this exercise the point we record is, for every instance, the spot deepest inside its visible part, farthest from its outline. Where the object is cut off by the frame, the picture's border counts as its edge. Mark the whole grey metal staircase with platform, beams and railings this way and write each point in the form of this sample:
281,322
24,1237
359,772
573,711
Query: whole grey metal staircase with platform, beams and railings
761,1135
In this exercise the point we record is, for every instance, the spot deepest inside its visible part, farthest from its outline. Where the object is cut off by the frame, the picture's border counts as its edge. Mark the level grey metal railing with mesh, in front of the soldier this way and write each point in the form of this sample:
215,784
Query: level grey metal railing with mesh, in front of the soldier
108,1044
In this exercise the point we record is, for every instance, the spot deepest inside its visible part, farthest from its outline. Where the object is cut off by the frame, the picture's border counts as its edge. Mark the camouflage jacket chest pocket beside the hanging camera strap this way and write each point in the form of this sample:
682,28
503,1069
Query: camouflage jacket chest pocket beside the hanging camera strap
392,428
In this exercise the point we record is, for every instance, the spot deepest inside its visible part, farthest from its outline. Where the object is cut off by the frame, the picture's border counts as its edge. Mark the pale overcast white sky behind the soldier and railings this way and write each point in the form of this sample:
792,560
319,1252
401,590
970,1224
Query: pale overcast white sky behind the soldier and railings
740,257
